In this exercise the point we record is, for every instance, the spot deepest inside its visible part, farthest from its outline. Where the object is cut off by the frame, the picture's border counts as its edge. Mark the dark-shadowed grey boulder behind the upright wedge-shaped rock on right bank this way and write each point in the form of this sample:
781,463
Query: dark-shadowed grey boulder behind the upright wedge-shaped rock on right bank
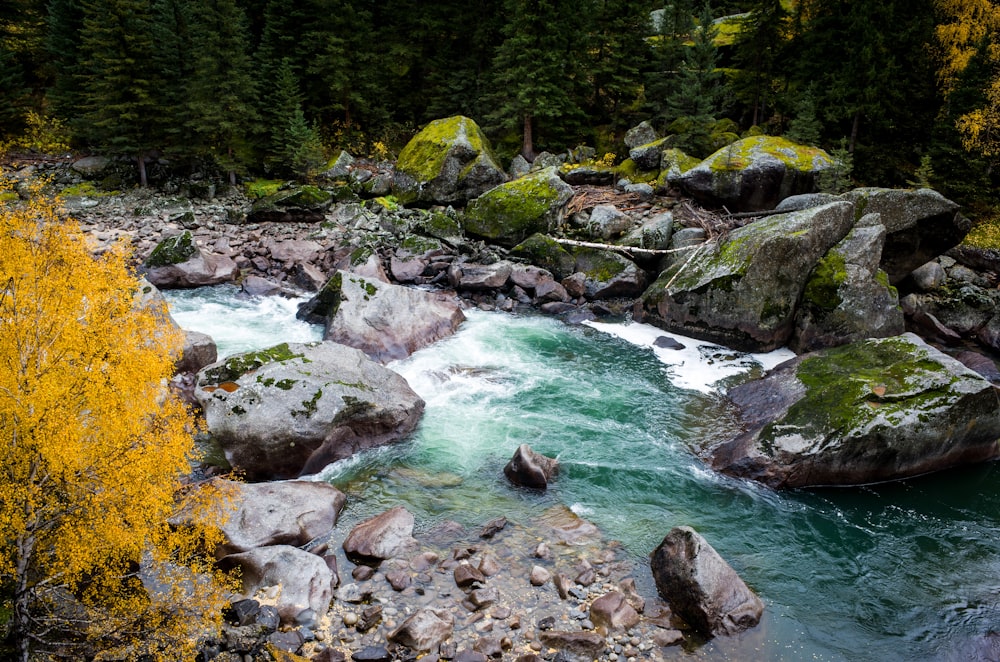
920,225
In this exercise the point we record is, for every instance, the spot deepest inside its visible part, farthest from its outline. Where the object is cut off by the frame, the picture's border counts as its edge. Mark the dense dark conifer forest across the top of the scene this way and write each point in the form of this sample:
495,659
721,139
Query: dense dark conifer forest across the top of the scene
248,87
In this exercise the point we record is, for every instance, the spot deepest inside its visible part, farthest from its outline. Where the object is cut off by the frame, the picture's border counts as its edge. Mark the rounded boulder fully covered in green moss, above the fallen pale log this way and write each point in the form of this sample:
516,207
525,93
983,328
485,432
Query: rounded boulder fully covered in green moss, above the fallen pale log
511,212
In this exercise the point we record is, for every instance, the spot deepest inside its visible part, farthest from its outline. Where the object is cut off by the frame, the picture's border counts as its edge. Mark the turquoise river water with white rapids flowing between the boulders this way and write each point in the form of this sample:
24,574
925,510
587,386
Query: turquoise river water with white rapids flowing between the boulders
904,571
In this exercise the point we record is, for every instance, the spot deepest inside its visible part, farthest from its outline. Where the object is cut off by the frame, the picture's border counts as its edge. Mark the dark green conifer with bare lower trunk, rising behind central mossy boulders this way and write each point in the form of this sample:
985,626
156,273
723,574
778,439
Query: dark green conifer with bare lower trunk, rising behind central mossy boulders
535,72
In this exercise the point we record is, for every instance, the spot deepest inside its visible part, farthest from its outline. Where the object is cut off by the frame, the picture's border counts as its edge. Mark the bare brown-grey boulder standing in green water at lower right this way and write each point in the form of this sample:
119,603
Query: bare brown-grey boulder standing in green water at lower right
701,587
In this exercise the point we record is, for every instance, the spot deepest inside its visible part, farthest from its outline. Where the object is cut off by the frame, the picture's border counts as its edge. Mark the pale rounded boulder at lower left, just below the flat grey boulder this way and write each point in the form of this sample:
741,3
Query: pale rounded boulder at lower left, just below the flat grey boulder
304,579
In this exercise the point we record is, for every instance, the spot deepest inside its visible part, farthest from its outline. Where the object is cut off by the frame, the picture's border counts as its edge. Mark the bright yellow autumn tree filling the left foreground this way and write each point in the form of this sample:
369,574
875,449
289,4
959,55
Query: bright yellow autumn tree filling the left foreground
92,451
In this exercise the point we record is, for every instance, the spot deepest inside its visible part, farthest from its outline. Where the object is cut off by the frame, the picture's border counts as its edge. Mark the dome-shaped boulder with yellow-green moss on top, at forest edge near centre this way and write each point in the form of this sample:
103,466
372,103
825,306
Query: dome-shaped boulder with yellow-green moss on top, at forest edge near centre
448,162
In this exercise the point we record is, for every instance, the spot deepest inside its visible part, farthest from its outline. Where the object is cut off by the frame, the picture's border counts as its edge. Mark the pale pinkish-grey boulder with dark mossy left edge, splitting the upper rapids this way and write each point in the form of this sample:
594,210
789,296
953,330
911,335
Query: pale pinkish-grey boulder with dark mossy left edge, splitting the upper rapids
386,322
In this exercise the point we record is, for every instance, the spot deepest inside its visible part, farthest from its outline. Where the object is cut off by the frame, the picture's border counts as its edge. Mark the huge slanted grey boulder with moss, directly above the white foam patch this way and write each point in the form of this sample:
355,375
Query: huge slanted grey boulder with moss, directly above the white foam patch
742,291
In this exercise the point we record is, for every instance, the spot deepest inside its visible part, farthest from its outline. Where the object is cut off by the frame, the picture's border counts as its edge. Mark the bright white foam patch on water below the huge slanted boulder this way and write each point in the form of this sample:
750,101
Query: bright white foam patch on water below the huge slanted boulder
699,365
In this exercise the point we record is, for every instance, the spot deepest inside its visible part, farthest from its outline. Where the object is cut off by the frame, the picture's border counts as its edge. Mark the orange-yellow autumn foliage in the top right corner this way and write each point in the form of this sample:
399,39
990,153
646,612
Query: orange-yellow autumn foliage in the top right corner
971,28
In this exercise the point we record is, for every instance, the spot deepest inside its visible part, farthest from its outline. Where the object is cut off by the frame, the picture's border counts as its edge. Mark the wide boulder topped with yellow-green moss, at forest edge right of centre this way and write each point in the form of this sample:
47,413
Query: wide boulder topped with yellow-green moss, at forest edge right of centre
754,174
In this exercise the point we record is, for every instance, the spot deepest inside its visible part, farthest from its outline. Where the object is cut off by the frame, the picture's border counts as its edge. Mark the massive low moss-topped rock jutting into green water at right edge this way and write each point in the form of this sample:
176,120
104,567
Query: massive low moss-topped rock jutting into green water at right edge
871,411
